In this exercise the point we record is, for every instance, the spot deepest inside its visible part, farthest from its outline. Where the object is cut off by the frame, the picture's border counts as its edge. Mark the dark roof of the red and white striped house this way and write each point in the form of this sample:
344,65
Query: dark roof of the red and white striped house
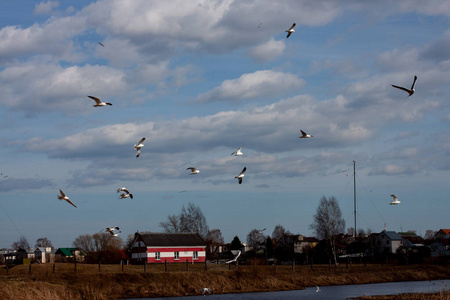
172,239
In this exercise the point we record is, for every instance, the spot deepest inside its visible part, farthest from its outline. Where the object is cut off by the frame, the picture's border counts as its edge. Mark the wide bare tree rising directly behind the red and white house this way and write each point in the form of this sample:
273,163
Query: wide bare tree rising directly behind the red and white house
191,219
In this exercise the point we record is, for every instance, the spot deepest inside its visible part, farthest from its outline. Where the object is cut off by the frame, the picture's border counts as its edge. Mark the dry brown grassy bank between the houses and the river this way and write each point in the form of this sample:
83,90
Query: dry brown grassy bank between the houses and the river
110,282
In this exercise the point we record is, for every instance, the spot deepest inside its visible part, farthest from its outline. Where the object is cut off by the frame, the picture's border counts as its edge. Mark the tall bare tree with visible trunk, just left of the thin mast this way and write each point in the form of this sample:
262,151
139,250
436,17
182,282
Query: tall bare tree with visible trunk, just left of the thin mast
328,222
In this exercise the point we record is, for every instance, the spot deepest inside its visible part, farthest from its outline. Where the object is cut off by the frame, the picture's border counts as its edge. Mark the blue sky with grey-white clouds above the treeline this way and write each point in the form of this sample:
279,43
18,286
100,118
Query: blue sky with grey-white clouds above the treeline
200,78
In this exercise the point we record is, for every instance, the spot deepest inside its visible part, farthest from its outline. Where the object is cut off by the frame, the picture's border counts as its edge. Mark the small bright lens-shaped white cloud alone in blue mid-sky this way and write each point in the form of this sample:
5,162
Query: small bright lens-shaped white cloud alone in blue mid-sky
260,84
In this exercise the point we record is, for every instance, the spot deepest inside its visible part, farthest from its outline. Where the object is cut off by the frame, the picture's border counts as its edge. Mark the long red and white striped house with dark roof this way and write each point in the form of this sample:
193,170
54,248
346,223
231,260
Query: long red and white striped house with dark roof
167,247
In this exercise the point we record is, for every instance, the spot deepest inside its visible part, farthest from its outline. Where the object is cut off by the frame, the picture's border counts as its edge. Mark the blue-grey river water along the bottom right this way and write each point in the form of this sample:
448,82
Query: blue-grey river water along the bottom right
335,292
